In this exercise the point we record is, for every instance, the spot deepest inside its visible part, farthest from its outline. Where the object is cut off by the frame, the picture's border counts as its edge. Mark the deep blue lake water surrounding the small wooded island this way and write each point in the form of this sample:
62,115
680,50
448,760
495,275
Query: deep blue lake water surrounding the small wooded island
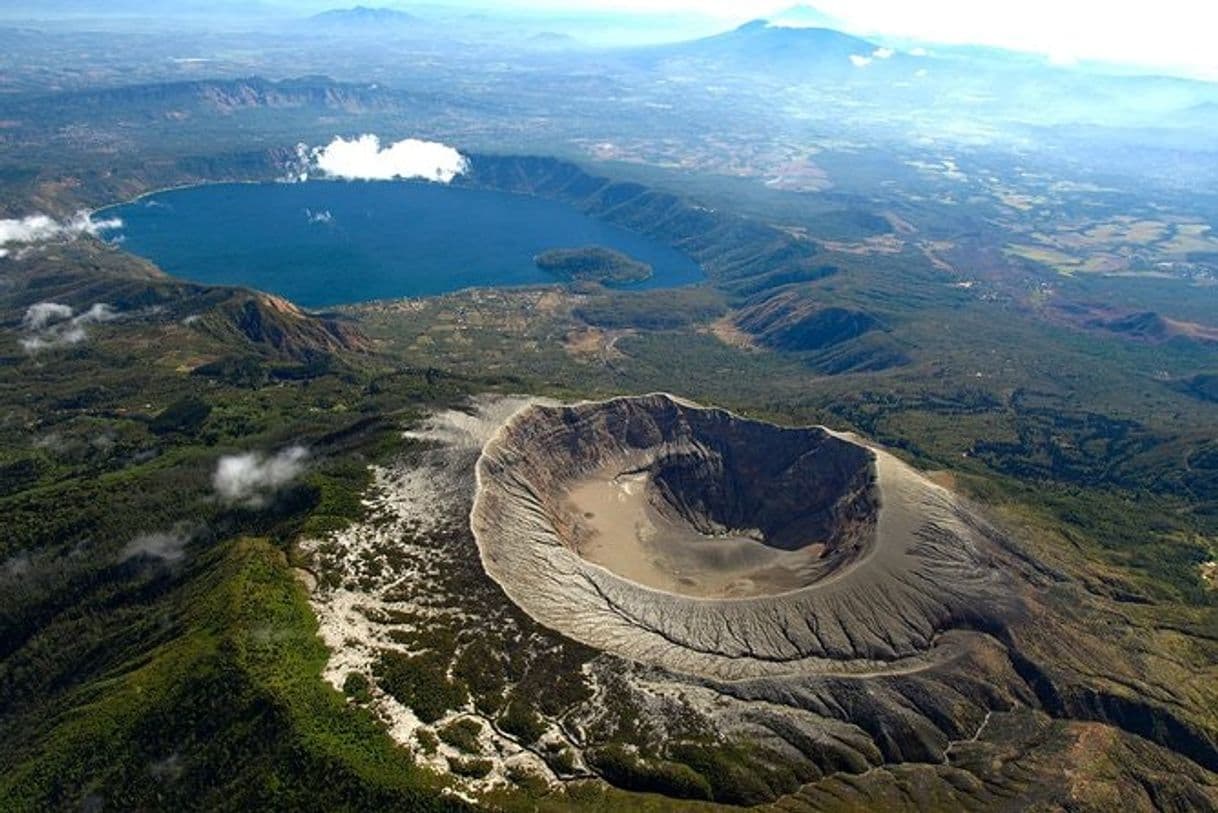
331,243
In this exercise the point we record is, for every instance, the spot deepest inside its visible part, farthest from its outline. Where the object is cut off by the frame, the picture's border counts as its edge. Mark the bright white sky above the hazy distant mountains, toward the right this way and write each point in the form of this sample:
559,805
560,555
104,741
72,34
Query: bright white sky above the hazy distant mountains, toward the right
1177,36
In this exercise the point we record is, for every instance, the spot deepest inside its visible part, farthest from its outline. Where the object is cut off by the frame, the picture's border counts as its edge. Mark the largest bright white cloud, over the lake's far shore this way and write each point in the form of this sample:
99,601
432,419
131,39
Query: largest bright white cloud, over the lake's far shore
364,159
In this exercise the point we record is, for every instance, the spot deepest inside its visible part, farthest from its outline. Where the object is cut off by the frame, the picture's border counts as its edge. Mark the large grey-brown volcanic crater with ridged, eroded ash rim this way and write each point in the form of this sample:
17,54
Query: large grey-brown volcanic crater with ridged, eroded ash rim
703,542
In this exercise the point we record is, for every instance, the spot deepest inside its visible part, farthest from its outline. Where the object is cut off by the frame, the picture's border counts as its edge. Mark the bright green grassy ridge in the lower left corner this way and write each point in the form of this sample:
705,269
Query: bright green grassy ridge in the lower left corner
230,715
